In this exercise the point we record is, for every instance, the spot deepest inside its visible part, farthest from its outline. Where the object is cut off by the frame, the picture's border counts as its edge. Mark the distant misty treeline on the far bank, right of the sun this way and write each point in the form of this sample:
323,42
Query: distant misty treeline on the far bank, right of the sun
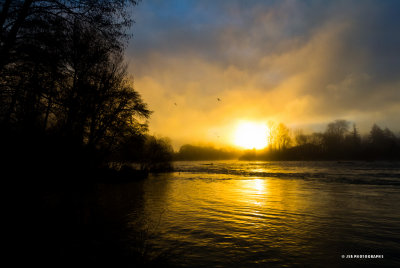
340,141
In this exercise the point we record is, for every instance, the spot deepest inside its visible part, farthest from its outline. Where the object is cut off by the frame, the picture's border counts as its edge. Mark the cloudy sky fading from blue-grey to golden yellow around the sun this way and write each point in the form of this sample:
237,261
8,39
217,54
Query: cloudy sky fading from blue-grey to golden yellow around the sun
204,66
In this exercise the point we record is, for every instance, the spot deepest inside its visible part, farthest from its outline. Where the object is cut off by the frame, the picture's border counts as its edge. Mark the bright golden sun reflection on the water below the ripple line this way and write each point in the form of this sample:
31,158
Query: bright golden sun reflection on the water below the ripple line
227,211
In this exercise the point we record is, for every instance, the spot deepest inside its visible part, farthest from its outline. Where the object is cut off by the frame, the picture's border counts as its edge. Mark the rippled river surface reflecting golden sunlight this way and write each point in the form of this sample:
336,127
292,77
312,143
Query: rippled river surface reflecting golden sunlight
266,214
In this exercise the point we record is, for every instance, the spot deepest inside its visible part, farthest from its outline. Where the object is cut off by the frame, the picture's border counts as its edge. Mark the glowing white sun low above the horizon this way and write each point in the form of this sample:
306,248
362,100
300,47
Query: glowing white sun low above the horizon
250,135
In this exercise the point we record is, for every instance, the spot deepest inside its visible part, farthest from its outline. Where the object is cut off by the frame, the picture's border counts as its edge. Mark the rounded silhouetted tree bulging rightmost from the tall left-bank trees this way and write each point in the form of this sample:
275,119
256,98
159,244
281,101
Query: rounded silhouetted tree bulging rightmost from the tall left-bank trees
98,105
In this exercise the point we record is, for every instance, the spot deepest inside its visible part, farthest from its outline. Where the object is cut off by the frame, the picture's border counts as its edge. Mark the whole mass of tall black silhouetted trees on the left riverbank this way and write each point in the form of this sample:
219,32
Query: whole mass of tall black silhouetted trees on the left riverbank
67,103
